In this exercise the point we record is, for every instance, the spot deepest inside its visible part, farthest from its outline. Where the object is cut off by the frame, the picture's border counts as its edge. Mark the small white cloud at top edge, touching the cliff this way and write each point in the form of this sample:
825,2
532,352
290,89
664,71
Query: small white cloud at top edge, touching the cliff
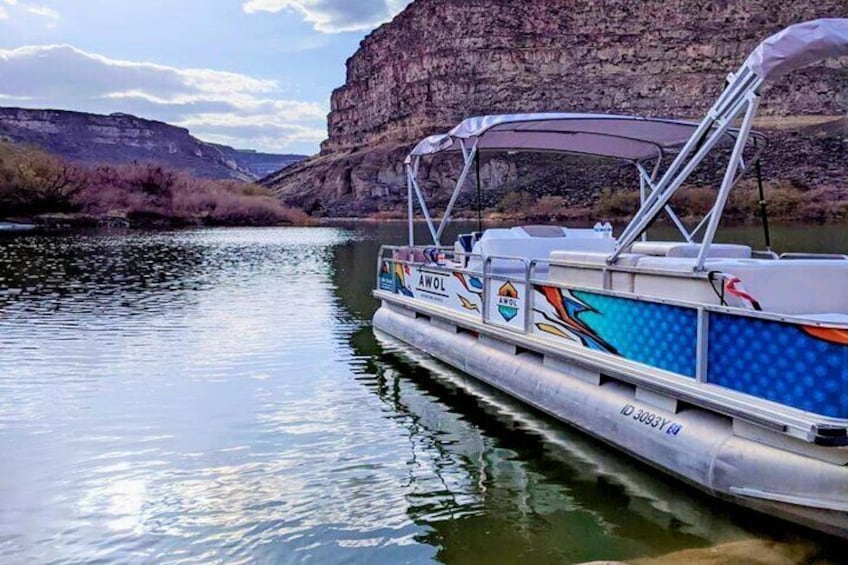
333,16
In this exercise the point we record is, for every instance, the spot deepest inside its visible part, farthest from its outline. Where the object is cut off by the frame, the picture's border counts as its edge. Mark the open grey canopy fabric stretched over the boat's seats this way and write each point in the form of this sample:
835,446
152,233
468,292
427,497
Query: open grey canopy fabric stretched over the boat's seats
631,138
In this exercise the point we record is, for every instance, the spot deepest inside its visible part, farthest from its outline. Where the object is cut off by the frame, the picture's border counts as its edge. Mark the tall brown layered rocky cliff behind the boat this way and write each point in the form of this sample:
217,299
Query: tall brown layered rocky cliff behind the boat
440,61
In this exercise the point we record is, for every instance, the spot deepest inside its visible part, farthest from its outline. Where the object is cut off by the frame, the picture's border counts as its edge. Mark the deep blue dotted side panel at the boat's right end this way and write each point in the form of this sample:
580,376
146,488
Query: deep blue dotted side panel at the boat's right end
779,362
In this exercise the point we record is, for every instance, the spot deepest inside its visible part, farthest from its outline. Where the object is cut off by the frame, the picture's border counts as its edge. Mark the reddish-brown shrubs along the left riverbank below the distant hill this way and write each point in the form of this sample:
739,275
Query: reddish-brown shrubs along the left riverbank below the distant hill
34,184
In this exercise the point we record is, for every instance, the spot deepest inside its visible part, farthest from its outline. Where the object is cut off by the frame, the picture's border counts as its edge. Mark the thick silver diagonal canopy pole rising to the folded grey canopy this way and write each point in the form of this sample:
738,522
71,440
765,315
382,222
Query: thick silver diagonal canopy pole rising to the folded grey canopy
711,129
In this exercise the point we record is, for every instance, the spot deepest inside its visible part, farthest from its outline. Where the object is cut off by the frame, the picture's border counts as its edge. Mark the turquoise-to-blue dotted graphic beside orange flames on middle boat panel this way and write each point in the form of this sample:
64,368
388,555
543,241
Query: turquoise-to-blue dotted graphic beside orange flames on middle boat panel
658,335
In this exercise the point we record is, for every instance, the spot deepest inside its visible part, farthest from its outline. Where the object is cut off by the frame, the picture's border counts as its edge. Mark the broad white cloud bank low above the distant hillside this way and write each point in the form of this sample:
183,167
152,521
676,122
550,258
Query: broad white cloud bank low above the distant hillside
247,111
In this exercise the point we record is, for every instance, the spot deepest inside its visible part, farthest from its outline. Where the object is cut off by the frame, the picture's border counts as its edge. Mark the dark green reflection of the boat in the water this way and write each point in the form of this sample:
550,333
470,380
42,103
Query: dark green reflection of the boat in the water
483,462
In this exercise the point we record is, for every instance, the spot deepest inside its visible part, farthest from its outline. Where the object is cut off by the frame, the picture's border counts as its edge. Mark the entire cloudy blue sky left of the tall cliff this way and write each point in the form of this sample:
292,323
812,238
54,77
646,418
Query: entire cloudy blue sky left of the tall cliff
249,73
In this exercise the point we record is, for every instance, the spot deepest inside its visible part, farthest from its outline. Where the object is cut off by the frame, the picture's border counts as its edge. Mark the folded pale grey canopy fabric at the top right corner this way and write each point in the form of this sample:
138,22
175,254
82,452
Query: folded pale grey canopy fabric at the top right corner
799,45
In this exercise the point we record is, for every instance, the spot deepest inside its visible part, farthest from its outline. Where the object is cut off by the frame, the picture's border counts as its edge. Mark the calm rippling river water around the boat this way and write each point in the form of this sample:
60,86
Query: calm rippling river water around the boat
219,396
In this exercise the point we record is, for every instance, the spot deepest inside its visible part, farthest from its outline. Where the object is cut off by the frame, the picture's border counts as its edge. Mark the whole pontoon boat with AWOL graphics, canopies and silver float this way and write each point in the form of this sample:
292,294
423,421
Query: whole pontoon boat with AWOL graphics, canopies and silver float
720,365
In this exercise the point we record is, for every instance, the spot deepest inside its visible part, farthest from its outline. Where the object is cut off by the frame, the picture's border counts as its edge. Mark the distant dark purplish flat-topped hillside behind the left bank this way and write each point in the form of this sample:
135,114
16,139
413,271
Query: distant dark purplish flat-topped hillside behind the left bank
122,138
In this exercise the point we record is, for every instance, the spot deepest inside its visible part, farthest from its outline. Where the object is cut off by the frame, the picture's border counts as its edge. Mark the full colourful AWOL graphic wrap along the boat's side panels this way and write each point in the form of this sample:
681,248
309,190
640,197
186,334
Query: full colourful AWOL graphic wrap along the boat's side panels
801,366
